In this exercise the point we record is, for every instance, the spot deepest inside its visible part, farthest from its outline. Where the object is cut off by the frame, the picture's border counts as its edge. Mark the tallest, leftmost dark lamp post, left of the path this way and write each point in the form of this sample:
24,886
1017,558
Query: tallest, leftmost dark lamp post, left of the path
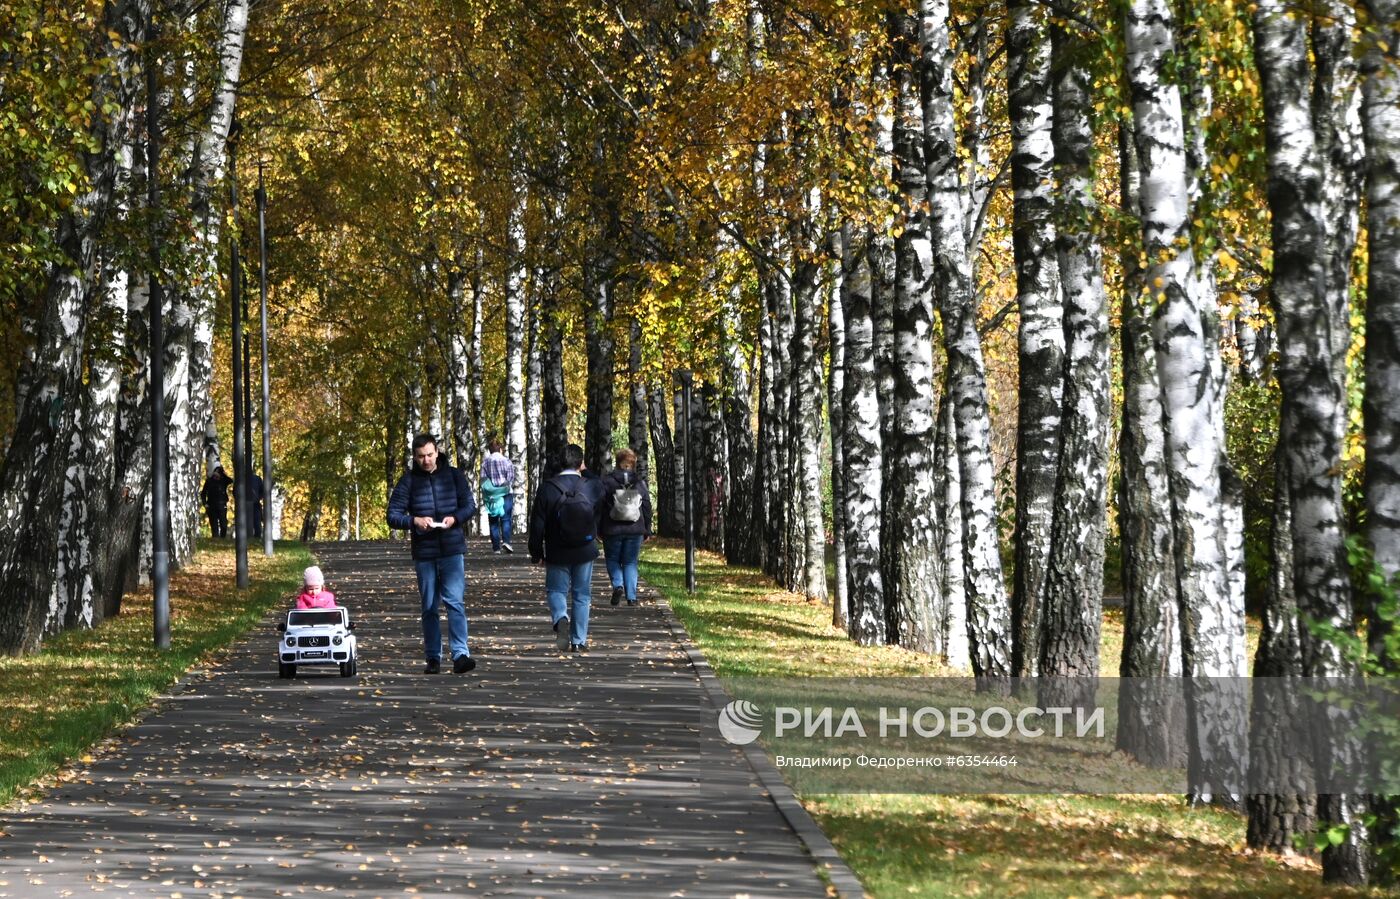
160,443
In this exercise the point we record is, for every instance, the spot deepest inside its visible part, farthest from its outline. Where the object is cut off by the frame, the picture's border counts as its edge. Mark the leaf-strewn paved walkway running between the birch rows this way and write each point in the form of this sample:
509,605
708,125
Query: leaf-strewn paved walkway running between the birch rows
537,775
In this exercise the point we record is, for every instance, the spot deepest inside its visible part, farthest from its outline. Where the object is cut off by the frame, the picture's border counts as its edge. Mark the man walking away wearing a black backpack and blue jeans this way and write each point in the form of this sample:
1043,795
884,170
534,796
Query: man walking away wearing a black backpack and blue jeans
563,536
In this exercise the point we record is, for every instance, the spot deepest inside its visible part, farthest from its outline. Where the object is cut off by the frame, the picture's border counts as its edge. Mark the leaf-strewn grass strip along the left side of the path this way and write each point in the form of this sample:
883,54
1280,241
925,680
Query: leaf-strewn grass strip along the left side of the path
61,702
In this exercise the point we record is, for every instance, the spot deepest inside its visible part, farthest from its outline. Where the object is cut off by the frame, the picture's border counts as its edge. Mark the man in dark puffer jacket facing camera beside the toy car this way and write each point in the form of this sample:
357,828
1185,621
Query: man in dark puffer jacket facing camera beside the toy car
433,502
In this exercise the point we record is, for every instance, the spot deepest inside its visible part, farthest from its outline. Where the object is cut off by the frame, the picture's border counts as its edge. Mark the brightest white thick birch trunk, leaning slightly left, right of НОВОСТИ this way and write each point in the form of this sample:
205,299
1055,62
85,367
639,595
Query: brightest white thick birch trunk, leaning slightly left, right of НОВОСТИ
1185,335
